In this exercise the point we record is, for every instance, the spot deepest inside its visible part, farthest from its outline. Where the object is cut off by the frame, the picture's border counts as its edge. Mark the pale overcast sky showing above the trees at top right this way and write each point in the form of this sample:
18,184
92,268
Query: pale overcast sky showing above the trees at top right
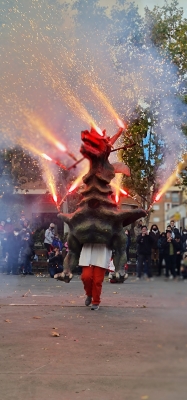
150,3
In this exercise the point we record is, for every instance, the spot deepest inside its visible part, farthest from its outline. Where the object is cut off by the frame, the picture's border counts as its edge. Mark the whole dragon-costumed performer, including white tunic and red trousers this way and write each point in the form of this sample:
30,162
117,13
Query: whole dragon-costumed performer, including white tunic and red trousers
97,226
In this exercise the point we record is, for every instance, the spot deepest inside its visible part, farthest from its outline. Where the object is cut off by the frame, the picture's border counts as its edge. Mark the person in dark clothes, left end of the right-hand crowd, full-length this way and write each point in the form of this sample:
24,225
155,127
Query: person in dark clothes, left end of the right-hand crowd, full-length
144,242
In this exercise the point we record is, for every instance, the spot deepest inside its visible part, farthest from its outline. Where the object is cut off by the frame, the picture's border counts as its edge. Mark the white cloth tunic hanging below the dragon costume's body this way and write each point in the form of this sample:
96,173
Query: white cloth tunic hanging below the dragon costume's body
95,254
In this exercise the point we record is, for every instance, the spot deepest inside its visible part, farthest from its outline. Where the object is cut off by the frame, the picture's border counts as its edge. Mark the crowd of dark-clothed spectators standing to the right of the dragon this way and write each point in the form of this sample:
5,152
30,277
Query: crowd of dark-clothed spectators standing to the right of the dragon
164,251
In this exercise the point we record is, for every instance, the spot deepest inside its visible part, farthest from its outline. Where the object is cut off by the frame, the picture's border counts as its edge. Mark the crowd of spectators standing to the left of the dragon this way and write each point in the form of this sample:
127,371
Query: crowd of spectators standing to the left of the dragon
18,247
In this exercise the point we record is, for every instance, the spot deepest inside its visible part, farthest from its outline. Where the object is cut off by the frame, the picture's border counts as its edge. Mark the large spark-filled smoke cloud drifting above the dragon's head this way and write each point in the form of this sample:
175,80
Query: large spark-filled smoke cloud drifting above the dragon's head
55,57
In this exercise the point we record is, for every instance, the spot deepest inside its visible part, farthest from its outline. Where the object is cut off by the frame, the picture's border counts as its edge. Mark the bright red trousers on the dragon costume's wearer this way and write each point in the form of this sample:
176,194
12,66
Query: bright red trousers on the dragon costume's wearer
92,278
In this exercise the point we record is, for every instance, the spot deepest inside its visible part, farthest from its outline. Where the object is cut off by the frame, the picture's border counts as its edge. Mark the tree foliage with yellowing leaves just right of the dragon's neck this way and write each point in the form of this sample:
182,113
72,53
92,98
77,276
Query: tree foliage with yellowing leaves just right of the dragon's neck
144,159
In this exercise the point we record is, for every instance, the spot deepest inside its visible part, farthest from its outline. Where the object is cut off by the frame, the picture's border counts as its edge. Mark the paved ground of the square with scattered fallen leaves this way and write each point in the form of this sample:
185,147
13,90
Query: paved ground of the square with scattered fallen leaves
133,348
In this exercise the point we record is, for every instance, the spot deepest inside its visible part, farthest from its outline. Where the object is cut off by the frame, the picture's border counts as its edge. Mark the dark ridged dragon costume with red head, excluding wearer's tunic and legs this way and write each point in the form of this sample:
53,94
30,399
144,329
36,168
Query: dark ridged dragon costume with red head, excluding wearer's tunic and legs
98,218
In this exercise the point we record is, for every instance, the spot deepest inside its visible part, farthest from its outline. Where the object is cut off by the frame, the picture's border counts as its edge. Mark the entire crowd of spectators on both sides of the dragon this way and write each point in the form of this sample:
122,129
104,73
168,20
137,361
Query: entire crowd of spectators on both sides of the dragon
163,252
